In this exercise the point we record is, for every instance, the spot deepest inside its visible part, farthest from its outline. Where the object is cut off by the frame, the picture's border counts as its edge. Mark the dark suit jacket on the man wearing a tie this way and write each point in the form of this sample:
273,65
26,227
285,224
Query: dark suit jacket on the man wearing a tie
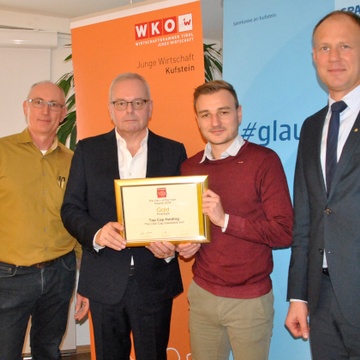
331,223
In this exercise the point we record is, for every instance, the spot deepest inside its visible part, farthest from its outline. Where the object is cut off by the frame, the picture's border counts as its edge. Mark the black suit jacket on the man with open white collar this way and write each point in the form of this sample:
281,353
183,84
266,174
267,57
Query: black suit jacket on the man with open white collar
89,204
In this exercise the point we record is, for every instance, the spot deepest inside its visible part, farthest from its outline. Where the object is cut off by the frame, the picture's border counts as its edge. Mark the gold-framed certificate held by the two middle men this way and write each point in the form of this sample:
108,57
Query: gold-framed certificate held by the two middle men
162,209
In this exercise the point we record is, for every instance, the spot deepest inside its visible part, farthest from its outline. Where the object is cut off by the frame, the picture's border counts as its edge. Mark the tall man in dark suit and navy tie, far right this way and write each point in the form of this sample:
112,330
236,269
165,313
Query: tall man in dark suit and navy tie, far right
324,274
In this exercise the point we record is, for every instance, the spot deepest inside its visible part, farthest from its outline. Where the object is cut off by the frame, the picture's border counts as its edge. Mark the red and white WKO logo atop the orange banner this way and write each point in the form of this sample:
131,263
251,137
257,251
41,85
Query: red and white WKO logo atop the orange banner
167,26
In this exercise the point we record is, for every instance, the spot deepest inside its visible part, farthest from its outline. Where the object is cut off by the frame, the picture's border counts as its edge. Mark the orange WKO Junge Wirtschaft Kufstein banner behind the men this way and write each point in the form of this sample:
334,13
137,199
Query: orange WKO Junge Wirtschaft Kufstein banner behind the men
162,41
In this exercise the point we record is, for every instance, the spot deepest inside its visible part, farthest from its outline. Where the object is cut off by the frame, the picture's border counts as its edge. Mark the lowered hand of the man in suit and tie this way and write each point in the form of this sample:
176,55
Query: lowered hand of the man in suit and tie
297,319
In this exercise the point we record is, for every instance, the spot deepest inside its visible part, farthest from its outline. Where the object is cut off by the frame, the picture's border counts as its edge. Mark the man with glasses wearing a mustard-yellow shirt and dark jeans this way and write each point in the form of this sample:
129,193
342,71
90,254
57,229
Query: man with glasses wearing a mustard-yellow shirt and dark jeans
37,260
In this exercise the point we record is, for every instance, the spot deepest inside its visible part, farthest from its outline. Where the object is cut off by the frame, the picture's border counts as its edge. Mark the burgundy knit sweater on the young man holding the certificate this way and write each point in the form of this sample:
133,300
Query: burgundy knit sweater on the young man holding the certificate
254,192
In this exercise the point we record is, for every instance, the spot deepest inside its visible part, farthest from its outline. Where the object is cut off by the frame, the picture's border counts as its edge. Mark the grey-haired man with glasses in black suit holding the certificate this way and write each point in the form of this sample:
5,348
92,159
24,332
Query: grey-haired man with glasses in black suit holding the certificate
130,289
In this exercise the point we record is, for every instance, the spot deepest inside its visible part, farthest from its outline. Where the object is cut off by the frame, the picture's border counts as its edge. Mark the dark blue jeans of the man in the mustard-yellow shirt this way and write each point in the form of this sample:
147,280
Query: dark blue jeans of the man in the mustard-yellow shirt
44,294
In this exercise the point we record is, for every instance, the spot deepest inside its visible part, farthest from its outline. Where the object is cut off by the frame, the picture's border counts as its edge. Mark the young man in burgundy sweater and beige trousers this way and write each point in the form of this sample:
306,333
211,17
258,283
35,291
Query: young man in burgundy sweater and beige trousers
248,204
